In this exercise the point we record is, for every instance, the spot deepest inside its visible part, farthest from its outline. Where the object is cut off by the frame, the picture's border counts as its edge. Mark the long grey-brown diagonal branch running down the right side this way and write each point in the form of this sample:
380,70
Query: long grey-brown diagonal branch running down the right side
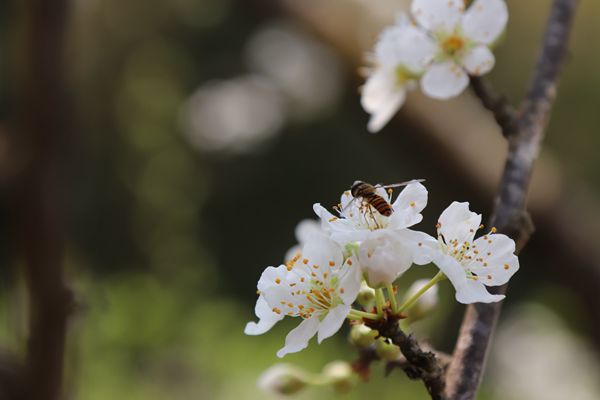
466,368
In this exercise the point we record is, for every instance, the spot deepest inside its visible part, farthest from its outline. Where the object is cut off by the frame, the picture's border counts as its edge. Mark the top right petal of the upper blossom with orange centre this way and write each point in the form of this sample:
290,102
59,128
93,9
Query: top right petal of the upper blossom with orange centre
485,20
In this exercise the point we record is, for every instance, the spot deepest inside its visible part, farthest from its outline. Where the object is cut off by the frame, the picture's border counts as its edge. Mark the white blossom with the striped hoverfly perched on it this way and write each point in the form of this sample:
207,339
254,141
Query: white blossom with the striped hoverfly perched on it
386,247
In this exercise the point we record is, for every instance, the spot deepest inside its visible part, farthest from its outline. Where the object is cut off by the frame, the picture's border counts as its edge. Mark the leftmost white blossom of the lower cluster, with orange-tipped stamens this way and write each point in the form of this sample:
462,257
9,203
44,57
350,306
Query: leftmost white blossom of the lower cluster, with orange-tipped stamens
317,286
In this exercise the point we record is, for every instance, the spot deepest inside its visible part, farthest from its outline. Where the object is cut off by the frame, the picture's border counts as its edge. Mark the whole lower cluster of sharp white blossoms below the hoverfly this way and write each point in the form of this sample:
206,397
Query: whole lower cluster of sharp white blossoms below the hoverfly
346,262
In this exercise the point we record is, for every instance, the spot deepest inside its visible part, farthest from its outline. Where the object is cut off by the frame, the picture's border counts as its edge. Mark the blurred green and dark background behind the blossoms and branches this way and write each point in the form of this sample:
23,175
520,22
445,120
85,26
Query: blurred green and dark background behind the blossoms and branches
204,132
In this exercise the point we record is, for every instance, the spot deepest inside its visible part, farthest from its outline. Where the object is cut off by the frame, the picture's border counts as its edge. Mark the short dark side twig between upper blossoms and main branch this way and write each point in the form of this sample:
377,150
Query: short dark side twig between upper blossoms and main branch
503,112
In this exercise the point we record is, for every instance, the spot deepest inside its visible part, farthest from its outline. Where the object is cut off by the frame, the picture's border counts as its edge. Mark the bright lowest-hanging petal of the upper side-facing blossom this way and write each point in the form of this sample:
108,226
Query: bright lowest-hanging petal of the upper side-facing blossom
382,97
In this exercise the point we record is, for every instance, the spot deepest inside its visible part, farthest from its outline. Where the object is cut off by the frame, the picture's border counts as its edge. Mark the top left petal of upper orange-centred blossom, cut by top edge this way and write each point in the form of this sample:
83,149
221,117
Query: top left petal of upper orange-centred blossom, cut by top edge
438,16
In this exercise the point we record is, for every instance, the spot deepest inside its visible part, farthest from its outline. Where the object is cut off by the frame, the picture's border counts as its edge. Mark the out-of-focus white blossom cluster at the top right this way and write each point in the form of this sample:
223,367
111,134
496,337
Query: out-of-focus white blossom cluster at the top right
437,47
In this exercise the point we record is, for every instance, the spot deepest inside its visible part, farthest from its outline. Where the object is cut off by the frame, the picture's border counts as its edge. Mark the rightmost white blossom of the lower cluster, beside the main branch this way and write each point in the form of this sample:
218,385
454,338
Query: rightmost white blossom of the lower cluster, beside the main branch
469,264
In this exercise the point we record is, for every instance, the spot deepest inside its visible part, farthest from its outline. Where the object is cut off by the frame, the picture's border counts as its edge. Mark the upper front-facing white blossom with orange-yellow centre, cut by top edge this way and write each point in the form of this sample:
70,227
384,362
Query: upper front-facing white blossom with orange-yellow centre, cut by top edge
462,39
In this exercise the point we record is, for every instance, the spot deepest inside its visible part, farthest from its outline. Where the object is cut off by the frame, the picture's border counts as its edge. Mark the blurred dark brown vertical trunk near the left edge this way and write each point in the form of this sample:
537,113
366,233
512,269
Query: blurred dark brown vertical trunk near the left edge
37,194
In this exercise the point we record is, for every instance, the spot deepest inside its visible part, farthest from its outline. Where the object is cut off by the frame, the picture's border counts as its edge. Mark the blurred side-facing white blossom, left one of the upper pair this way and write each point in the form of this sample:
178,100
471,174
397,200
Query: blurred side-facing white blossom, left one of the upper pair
401,54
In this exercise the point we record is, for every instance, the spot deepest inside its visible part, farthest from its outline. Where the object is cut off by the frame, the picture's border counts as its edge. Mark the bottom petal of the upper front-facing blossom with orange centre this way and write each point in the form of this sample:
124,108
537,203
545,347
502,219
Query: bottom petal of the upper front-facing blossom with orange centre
444,80
